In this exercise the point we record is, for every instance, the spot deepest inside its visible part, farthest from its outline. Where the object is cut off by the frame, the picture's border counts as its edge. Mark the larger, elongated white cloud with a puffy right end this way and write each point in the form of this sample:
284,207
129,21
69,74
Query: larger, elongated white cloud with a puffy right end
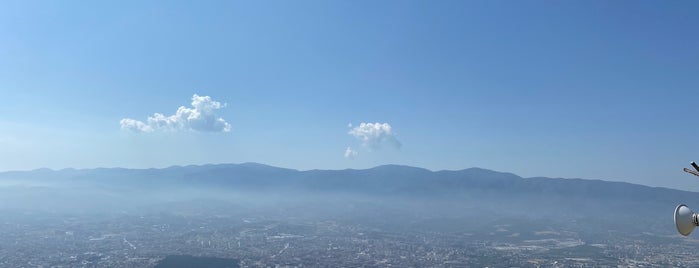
200,117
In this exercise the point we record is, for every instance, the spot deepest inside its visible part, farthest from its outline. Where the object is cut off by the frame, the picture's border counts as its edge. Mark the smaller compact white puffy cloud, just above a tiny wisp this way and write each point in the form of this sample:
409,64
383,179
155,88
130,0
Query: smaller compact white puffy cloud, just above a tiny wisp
373,135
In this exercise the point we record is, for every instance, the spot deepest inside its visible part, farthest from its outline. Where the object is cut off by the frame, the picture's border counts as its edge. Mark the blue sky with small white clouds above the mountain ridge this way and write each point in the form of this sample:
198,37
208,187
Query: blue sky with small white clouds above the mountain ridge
581,89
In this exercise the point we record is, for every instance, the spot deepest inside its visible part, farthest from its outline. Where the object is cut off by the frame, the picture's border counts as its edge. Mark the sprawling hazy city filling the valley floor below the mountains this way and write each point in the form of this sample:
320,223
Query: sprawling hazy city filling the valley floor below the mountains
123,240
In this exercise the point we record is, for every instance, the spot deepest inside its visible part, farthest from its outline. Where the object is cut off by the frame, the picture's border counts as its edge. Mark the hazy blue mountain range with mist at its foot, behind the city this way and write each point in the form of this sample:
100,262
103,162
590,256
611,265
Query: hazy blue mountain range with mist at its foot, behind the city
477,195
